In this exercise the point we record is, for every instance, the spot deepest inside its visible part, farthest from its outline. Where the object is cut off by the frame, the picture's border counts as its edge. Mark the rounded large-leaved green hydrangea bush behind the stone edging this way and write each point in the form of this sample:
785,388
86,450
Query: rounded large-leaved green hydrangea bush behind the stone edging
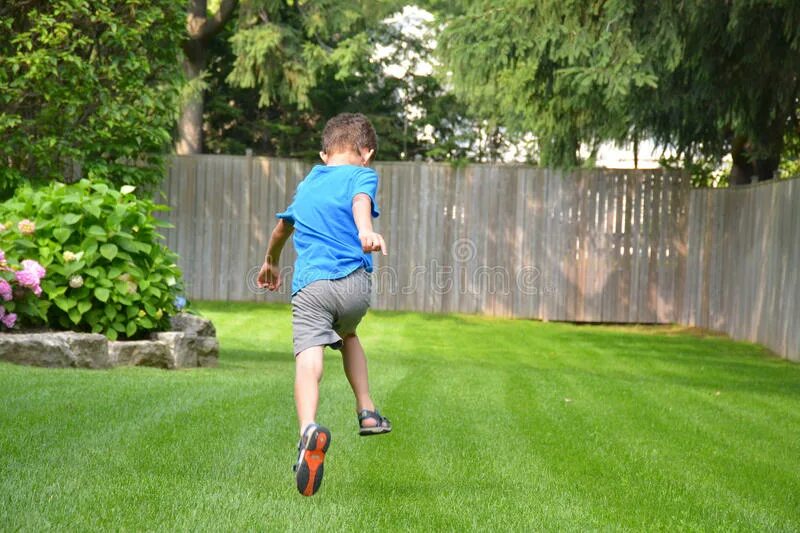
107,268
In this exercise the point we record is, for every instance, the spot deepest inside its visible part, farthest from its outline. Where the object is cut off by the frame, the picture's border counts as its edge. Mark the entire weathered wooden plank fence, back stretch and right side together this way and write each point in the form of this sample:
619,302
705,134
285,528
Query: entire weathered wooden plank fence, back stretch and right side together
589,246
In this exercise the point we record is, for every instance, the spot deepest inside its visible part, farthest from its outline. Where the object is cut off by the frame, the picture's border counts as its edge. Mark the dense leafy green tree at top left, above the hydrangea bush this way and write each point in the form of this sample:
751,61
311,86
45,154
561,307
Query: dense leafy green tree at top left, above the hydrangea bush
87,86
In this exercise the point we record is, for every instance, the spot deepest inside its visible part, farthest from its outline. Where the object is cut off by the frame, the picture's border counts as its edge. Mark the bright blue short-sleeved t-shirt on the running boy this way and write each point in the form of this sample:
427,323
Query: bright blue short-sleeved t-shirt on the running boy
325,234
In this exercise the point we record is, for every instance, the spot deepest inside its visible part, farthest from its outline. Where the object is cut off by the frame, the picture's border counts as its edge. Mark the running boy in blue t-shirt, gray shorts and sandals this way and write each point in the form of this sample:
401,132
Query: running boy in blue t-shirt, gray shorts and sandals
331,217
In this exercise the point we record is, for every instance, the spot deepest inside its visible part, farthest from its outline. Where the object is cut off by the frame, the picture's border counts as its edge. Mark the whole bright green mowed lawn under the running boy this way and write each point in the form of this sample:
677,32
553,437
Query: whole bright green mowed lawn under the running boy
499,425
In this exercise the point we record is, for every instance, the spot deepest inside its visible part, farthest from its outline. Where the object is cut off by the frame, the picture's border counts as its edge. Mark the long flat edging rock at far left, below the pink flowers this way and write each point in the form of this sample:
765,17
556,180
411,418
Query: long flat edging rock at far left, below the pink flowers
58,349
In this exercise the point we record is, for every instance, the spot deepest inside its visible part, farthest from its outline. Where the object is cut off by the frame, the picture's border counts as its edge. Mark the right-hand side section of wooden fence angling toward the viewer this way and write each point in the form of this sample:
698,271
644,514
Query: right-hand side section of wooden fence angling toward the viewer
743,264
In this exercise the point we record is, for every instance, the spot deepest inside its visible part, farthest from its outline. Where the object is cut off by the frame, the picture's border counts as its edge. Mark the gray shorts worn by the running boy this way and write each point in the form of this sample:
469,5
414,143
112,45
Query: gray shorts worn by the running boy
327,310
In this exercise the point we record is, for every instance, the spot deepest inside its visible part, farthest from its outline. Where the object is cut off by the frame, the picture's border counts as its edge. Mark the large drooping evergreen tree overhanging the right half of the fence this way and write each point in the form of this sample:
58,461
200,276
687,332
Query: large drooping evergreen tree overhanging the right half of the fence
704,77
